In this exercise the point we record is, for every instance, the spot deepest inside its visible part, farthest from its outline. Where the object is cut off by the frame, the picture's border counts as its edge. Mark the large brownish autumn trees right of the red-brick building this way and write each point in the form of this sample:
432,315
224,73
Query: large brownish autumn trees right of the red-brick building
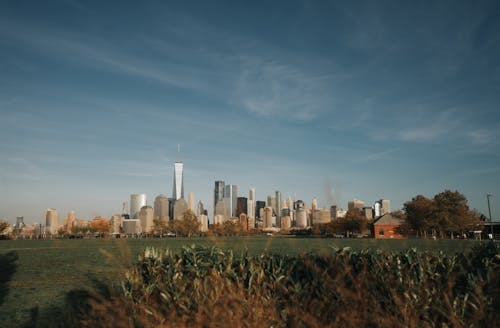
447,212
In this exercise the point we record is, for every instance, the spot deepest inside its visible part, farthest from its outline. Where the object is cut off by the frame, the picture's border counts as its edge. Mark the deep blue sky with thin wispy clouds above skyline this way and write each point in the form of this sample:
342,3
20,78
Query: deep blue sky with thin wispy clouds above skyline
329,99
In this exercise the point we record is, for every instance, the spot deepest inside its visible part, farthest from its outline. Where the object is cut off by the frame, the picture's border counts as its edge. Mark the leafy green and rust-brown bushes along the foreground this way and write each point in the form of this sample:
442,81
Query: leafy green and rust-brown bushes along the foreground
207,286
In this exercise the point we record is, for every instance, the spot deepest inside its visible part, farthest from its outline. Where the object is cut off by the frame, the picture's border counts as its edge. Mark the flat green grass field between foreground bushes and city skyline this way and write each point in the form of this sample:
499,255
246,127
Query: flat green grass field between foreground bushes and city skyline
37,275
